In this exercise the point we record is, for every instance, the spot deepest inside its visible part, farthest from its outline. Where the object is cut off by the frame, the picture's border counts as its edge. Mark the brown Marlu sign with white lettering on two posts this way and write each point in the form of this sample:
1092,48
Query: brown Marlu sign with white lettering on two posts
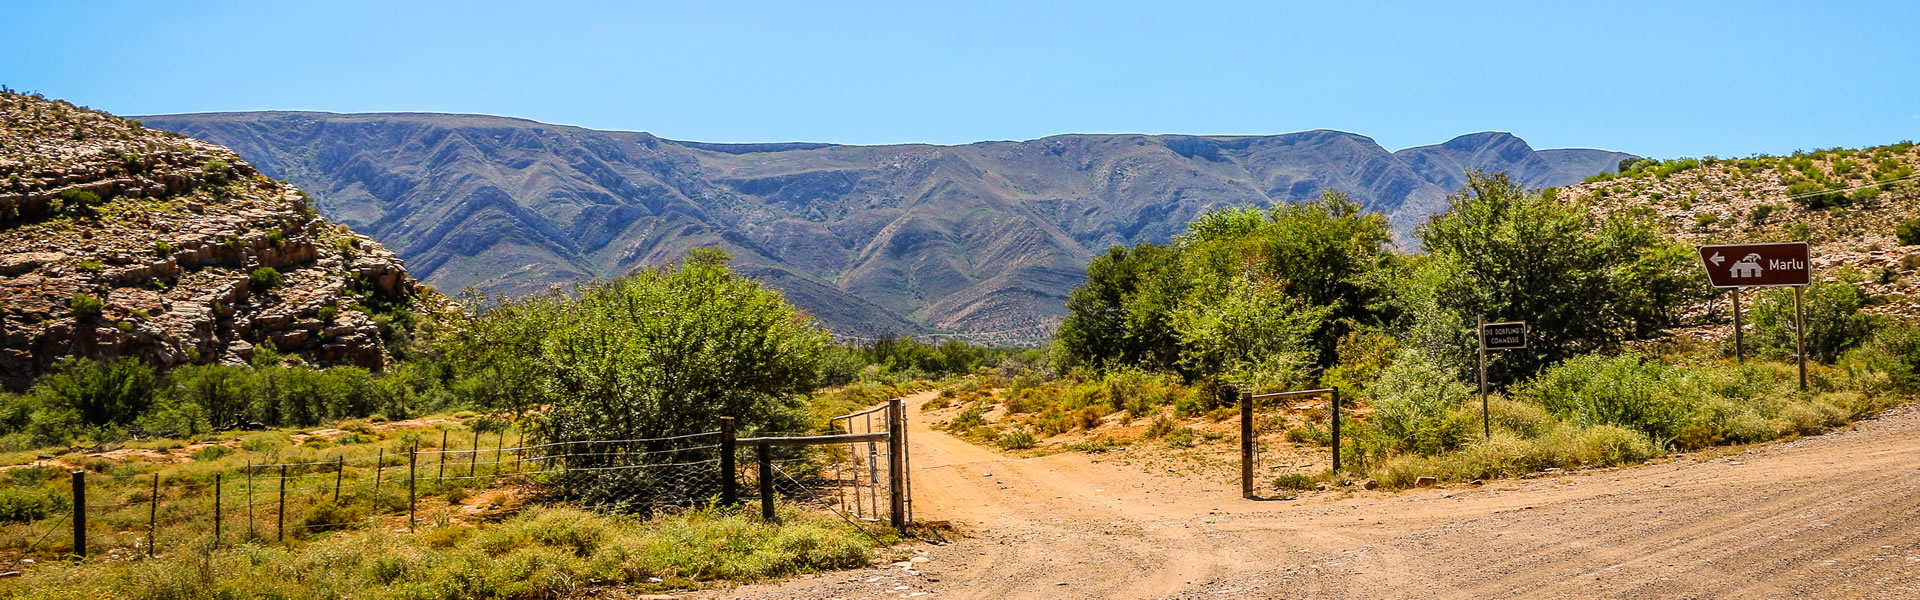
1742,266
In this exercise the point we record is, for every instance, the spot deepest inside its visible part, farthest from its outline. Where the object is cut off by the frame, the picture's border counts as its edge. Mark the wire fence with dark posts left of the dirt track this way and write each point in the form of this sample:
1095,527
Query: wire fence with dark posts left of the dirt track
464,480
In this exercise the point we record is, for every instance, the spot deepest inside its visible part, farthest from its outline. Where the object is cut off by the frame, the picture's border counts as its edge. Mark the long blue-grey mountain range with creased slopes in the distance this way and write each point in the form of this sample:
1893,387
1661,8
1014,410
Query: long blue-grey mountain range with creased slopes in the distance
913,239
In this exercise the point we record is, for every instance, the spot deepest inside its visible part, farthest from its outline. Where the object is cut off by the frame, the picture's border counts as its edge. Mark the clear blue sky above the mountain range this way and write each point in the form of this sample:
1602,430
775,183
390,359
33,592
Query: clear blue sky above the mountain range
1648,78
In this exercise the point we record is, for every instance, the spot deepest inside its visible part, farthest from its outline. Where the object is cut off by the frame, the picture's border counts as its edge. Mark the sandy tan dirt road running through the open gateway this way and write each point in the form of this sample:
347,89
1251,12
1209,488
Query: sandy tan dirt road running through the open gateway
1835,516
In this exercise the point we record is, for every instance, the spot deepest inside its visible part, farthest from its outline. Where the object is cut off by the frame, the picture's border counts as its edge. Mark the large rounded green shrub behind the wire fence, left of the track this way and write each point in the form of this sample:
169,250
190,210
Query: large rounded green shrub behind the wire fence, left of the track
654,355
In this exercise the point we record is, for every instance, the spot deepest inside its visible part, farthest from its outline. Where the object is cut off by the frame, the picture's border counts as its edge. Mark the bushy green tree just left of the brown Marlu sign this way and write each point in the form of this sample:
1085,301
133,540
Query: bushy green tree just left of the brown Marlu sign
1583,284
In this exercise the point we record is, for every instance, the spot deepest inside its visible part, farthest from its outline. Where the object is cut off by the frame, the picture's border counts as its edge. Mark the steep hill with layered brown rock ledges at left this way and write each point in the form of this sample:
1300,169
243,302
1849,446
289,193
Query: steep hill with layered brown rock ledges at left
128,241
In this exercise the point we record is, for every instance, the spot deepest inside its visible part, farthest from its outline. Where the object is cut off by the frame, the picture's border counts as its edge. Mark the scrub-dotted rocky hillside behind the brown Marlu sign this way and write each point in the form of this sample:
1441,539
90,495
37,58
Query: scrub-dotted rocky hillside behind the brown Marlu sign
1848,205
